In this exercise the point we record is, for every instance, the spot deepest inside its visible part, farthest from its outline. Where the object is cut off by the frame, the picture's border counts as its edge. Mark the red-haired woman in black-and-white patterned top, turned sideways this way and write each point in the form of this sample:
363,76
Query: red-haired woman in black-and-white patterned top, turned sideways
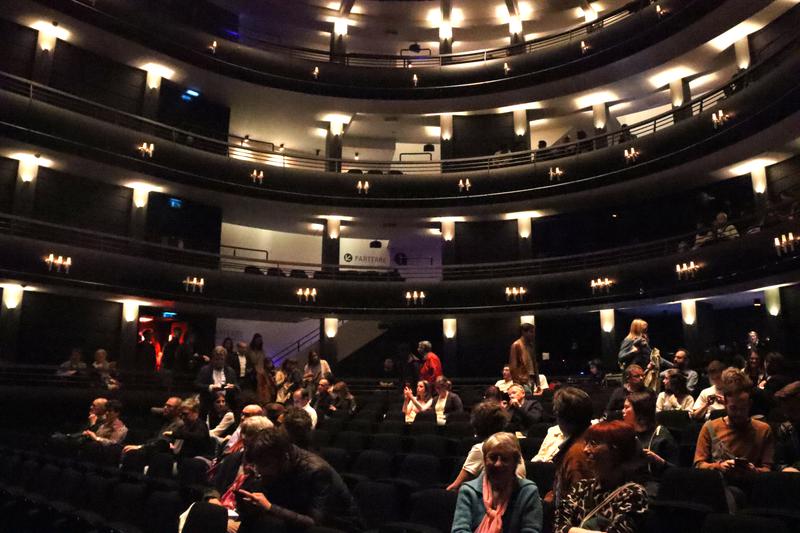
608,502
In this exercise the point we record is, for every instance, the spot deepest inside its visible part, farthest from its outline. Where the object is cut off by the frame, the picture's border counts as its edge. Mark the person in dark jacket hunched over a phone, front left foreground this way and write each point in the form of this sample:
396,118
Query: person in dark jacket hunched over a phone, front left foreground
295,487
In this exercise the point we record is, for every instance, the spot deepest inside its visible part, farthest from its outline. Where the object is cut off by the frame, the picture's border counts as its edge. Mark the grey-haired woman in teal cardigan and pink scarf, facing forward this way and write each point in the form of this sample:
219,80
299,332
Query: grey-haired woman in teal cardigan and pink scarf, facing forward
497,500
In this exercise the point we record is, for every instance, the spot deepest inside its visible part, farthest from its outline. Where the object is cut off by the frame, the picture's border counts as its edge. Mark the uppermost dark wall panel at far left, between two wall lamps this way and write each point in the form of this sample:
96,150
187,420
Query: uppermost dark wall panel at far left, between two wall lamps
97,78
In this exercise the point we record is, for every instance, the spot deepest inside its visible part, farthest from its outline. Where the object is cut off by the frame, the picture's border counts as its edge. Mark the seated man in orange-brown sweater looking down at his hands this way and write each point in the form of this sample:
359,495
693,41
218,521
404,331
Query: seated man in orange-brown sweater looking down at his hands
735,443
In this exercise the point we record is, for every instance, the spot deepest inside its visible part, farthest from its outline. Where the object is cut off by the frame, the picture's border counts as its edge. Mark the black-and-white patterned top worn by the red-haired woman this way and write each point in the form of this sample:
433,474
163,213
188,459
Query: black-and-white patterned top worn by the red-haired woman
623,514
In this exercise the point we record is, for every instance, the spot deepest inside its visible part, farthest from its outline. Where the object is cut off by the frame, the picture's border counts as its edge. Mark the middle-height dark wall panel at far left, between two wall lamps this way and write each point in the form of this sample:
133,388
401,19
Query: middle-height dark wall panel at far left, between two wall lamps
75,201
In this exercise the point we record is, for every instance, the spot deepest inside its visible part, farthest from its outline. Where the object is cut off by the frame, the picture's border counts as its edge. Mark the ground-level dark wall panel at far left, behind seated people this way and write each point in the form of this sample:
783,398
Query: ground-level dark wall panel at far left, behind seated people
52,324
